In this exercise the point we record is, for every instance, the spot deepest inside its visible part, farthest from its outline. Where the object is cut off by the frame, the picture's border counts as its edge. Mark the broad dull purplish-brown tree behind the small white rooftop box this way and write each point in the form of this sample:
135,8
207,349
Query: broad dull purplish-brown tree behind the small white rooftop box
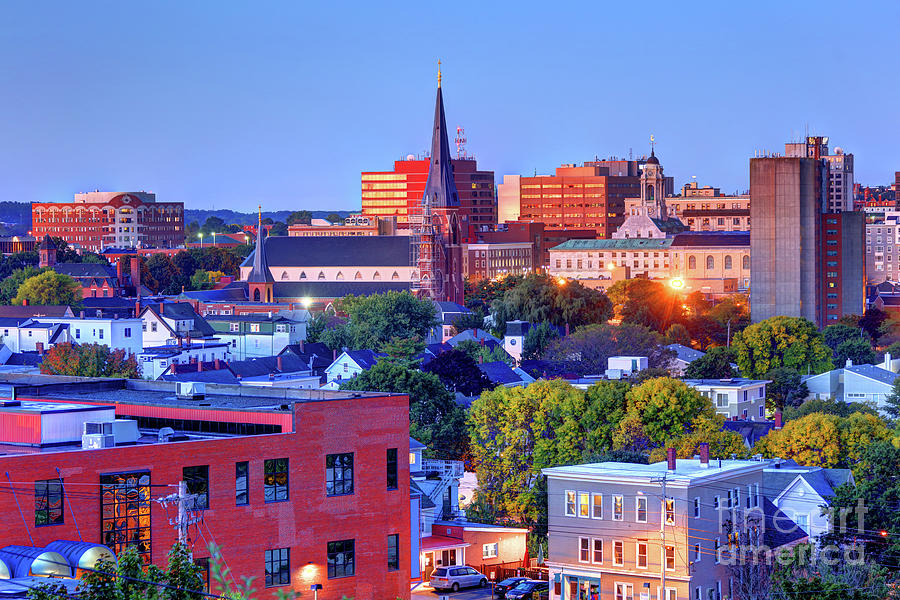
588,349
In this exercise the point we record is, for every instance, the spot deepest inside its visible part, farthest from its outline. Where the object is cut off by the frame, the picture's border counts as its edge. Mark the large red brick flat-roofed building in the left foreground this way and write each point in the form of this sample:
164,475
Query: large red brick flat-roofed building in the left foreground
302,487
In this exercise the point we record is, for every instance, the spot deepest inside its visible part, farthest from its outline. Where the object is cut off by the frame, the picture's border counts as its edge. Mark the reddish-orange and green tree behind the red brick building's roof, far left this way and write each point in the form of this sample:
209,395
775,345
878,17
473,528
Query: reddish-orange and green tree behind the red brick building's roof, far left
89,360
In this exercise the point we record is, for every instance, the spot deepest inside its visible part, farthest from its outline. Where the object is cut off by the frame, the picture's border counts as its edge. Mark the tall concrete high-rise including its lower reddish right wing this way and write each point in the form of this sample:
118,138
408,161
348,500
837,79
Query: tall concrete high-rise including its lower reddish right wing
807,256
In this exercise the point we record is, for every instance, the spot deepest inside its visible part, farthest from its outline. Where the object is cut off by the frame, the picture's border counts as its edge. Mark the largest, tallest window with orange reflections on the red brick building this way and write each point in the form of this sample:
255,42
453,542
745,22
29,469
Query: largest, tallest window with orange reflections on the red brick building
125,512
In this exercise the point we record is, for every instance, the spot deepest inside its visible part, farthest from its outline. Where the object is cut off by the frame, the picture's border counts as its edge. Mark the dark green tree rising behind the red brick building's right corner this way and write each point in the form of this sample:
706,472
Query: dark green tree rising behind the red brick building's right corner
434,417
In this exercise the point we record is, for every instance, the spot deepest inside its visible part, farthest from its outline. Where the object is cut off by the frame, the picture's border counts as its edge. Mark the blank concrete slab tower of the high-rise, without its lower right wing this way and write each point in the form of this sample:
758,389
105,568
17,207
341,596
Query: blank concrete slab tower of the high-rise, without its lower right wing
786,201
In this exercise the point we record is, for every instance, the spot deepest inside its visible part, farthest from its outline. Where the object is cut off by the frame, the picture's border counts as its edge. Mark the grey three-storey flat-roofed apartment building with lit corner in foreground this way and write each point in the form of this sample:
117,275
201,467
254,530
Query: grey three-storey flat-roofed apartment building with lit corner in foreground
622,531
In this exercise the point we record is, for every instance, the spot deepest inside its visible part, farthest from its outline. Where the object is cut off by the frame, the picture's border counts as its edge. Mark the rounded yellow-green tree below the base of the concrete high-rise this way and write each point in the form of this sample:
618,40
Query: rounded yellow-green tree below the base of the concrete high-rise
781,342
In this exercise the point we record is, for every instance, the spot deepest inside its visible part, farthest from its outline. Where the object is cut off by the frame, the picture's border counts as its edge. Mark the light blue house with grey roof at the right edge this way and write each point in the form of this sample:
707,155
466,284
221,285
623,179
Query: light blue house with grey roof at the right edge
853,383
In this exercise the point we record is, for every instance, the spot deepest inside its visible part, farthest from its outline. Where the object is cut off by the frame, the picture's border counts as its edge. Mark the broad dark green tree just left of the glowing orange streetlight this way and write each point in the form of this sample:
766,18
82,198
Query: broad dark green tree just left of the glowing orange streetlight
540,298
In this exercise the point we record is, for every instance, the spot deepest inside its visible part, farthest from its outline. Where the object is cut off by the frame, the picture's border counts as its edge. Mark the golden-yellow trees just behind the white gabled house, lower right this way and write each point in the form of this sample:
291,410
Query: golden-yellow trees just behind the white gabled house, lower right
825,440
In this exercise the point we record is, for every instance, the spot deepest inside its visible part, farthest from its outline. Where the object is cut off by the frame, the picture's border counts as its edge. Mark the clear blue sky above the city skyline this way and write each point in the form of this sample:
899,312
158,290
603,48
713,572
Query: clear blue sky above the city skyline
231,104
